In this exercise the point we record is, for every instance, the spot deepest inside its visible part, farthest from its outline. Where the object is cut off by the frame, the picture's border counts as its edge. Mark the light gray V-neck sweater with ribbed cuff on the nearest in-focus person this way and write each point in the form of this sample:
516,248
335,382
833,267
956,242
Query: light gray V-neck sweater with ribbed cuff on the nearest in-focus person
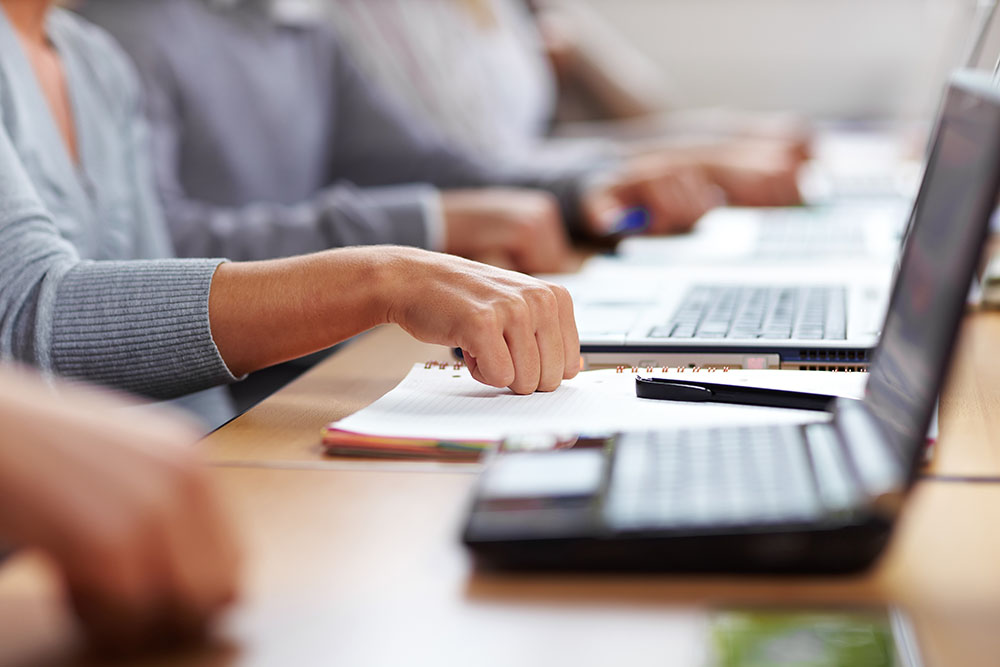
88,285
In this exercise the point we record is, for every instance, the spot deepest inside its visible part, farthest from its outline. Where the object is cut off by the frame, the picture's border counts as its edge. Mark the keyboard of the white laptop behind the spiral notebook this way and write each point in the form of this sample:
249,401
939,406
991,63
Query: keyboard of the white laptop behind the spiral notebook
809,313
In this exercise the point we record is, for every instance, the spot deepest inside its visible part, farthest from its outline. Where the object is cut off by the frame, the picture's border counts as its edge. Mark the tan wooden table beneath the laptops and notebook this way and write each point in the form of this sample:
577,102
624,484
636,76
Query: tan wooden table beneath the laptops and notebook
354,563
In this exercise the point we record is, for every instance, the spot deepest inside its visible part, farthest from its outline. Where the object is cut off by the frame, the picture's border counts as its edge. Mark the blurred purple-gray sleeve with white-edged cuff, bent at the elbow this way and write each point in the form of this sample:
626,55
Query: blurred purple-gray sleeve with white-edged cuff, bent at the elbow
340,215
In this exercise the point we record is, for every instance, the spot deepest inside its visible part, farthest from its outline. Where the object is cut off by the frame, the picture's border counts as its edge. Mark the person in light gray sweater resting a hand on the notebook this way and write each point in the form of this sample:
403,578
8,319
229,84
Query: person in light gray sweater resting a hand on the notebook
89,286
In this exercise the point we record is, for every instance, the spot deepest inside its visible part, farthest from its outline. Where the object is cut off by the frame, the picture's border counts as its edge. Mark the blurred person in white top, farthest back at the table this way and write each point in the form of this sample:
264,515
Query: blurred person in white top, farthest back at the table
488,74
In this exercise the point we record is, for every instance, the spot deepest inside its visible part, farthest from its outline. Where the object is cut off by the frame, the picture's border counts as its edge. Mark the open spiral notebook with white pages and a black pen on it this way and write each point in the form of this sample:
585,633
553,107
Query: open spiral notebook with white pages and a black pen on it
440,412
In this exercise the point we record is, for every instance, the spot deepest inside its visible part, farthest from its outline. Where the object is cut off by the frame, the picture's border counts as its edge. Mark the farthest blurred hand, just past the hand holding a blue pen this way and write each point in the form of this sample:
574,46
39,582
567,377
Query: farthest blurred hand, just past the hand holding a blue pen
756,173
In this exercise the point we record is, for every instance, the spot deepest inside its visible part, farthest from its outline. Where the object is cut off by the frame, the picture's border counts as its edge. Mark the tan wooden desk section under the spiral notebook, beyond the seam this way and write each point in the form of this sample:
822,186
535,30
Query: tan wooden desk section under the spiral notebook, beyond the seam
284,430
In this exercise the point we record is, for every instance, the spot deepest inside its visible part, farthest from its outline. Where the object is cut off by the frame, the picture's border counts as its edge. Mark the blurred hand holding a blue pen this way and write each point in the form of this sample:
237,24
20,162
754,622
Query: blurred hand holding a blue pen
675,194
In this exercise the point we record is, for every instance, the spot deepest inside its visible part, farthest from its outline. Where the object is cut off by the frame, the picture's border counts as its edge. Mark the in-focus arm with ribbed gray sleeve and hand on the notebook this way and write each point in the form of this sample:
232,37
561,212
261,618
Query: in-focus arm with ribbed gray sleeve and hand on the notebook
152,325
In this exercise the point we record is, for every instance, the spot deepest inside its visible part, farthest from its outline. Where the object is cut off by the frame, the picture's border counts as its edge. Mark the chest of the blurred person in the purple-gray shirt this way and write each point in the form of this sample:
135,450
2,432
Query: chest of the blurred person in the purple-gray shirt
258,110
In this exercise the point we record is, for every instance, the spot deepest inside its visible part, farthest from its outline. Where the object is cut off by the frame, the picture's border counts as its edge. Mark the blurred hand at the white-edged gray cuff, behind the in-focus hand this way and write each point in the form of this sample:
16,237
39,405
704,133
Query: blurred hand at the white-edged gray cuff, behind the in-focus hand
517,229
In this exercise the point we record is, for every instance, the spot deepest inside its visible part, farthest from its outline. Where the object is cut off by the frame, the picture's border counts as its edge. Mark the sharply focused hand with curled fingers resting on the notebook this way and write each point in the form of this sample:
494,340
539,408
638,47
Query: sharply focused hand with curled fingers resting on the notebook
515,331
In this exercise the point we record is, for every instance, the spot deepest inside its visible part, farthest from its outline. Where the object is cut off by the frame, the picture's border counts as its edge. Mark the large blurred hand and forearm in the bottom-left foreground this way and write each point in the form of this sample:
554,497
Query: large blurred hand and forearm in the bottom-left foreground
116,498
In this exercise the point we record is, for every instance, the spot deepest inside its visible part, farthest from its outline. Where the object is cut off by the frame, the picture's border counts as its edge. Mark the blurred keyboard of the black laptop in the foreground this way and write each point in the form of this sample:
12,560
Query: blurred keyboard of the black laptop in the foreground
714,477
